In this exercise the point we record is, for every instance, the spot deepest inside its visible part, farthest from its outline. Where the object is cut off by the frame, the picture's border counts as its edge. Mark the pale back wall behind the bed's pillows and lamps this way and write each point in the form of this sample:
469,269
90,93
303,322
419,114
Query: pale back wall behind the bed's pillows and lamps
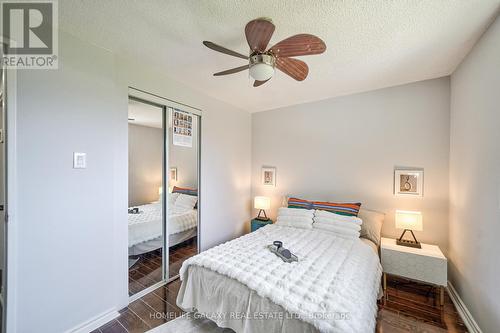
346,148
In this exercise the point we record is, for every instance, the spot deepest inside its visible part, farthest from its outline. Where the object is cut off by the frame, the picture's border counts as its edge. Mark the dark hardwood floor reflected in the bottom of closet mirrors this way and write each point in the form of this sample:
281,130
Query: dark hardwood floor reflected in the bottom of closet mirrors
148,269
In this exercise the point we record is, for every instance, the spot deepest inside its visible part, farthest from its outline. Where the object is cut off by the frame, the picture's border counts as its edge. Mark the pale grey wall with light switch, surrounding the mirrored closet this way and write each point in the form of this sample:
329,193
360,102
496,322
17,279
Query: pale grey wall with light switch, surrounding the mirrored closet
72,224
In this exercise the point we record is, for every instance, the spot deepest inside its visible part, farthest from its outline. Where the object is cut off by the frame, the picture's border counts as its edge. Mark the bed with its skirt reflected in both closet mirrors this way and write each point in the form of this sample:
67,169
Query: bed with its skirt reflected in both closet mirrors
145,228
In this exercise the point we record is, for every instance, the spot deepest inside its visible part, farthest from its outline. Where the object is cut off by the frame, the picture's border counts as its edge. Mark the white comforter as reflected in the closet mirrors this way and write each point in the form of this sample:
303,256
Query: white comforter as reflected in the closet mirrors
147,225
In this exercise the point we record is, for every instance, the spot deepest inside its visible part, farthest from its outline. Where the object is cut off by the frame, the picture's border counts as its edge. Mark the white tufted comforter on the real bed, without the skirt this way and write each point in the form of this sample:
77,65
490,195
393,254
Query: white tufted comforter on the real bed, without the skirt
334,285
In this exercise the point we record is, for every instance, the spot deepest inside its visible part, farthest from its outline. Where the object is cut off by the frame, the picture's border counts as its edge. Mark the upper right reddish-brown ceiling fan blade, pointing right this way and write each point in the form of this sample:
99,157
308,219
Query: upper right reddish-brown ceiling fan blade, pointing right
299,45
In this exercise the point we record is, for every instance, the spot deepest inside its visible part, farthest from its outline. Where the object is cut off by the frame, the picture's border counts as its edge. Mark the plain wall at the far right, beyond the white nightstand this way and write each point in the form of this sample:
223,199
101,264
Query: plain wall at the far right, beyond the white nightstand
475,180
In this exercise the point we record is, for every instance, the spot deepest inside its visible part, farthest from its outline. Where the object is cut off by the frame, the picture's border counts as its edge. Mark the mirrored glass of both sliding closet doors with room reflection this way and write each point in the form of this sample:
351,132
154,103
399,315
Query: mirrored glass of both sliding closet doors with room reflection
146,191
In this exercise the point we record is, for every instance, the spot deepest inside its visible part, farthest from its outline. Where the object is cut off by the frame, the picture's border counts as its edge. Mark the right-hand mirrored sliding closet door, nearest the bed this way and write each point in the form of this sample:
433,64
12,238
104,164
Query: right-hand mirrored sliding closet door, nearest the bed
183,213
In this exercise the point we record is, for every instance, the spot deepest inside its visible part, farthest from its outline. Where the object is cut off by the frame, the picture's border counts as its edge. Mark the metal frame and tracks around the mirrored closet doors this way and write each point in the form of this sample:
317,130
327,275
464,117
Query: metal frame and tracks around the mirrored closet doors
165,104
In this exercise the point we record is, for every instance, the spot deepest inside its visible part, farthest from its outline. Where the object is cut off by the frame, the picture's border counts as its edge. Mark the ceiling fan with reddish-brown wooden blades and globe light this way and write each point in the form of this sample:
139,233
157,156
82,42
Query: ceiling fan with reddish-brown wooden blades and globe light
261,63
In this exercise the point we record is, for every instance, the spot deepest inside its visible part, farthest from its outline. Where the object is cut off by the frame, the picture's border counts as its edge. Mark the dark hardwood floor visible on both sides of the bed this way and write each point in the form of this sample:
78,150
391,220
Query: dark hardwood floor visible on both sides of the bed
410,308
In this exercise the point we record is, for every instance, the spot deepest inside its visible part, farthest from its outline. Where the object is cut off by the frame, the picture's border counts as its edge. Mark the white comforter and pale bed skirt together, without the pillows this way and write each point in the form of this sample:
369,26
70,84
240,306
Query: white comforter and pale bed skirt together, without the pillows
243,286
